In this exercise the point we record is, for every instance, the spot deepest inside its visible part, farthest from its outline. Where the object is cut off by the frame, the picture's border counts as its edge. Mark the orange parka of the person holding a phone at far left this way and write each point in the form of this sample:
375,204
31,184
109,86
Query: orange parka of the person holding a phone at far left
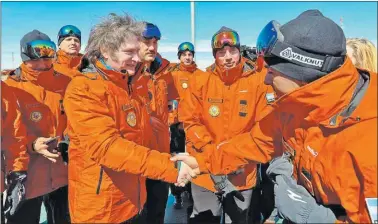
43,115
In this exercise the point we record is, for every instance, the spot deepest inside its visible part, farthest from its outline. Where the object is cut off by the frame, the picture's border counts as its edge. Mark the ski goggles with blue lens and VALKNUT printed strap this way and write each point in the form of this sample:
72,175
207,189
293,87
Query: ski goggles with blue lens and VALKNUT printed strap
270,43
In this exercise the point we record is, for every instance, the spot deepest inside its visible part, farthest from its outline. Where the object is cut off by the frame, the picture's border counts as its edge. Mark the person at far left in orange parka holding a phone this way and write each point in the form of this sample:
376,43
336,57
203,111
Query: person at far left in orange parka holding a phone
44,118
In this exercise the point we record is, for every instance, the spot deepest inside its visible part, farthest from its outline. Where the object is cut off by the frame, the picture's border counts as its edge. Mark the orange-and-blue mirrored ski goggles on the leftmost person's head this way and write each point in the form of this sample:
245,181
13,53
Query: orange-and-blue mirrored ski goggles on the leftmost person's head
38,49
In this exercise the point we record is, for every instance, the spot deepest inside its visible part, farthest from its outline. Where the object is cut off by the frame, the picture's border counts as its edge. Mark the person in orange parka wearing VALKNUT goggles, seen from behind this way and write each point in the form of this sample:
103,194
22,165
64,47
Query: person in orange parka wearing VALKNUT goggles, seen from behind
322,132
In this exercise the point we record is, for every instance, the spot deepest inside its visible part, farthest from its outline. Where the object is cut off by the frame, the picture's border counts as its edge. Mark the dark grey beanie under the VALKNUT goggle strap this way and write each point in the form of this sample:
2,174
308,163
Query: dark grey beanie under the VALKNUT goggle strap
314,33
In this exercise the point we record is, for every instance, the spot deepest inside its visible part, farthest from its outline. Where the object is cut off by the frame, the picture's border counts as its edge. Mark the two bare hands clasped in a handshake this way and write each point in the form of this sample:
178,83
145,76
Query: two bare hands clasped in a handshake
187,166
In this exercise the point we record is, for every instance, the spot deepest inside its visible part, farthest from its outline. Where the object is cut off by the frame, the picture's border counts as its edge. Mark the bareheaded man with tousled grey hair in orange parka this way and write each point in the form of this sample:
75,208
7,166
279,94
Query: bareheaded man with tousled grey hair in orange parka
108,162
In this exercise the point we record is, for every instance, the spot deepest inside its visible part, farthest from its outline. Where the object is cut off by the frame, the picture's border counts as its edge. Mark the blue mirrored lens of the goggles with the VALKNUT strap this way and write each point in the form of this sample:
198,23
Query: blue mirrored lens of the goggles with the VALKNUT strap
267,38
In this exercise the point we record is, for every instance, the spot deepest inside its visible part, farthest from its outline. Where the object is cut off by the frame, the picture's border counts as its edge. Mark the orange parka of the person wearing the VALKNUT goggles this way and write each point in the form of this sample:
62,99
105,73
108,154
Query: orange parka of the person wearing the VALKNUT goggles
330,128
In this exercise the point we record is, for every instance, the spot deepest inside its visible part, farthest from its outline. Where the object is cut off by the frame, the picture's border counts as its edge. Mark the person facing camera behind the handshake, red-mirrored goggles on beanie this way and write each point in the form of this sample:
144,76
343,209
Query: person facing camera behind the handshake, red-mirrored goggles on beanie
226,101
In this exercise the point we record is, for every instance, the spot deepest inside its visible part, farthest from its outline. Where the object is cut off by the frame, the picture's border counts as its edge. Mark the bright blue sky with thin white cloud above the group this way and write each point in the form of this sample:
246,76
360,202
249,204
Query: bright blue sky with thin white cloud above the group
173,19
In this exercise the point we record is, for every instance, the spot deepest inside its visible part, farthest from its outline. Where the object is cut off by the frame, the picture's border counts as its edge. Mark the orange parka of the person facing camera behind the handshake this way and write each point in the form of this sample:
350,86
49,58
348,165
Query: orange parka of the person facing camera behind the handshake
226,103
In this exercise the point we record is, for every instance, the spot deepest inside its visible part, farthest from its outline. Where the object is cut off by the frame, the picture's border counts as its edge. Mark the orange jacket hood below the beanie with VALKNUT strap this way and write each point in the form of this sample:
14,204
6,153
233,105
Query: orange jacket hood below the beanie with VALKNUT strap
322,101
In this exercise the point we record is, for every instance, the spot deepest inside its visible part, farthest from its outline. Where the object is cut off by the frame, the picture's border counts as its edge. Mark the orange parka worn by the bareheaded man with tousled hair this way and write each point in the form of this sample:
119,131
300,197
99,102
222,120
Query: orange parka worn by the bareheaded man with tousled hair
108,163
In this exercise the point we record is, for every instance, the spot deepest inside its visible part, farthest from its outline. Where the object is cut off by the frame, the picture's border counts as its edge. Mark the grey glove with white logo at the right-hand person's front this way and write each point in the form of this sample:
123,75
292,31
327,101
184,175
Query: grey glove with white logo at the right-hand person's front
296,204
